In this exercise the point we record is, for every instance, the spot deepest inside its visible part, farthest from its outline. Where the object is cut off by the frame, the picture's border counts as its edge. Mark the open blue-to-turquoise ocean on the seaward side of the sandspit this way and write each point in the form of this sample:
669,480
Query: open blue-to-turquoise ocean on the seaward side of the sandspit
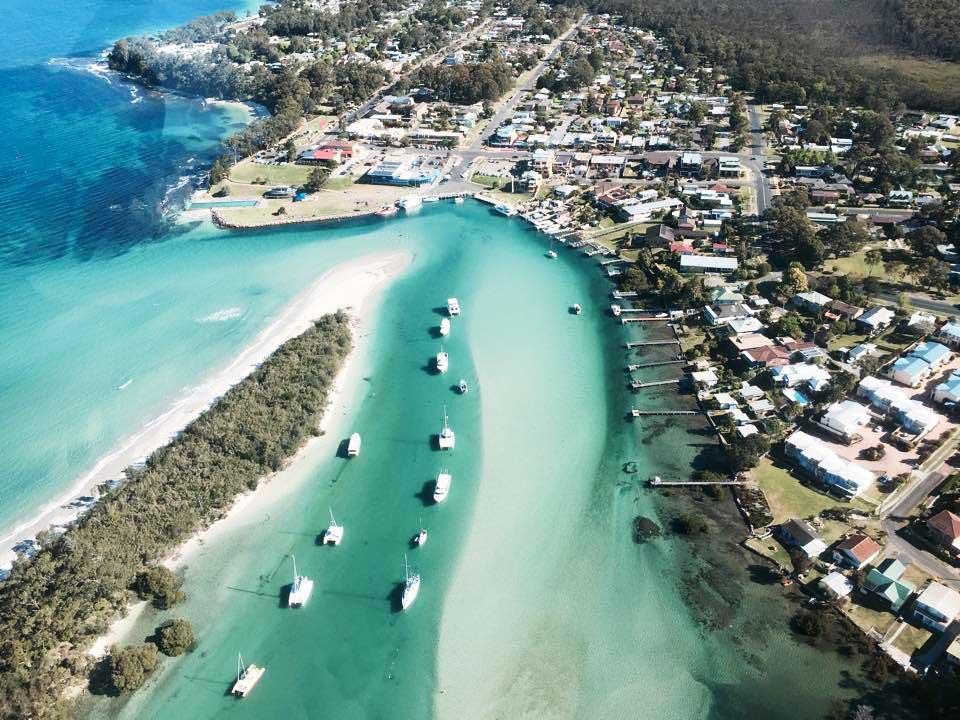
87,164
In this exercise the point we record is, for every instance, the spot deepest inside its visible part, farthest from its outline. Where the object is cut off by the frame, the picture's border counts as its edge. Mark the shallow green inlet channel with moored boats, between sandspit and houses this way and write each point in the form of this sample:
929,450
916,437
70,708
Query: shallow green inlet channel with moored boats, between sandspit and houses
535,602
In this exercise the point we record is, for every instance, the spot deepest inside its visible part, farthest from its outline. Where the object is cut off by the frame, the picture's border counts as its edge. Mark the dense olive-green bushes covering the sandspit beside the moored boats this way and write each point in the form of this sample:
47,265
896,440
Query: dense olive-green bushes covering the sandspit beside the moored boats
54,604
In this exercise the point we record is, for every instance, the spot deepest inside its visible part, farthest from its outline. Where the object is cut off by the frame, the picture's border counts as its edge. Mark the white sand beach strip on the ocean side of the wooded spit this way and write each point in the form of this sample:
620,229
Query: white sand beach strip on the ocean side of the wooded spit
346,286
